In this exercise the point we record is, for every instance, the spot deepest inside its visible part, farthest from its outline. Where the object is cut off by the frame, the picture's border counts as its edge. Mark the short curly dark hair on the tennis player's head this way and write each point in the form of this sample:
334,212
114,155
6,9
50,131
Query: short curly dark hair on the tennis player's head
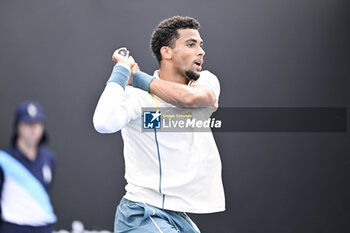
166,32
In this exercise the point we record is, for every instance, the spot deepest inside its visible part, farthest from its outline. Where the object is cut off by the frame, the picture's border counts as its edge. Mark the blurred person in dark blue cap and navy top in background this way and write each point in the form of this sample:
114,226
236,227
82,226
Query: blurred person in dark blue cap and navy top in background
26,173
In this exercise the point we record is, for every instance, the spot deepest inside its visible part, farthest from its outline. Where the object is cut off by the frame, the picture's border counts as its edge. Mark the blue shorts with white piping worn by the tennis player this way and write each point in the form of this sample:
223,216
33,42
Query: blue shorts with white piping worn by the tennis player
134,217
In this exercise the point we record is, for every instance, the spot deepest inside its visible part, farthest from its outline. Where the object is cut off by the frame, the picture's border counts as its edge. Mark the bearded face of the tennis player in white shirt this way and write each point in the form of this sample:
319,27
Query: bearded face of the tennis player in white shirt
187,54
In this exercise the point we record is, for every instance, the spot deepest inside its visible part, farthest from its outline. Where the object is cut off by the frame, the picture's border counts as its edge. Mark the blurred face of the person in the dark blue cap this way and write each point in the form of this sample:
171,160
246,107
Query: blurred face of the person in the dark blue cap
30,133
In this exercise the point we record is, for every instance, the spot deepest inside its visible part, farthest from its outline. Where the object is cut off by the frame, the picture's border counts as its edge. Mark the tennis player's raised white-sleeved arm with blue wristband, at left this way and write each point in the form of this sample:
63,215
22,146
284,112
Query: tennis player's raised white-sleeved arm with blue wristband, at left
110,116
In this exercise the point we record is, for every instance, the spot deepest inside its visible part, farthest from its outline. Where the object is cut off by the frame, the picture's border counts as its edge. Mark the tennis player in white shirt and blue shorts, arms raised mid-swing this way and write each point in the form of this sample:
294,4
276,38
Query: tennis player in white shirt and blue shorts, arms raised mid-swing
168,174
